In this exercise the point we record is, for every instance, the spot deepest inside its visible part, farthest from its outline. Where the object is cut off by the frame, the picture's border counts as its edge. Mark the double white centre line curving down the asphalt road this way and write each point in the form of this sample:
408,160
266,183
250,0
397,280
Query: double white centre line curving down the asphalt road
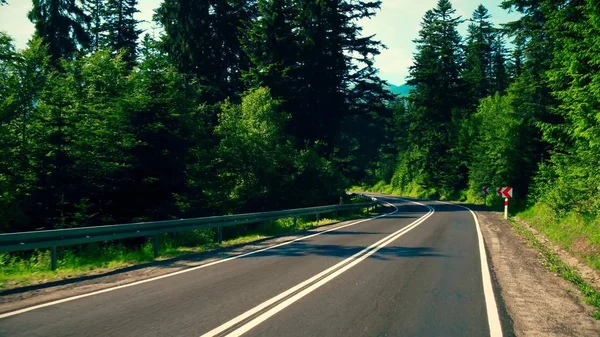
358,257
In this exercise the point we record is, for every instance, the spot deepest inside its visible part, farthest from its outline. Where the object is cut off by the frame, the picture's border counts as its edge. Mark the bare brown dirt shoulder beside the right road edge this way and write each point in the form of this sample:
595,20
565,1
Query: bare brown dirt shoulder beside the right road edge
539,302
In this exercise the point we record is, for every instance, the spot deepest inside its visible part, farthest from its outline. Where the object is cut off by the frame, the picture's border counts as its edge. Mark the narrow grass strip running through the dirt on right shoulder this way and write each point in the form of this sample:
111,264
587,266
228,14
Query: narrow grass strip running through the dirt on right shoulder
556,265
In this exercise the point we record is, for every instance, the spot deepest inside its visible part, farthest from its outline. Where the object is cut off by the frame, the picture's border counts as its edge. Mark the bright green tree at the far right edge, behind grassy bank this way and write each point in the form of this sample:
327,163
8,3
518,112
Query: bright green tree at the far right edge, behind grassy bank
569,180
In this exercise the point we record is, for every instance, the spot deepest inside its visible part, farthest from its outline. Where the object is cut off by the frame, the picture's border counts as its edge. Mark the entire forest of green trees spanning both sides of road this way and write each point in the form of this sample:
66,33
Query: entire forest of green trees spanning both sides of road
247,105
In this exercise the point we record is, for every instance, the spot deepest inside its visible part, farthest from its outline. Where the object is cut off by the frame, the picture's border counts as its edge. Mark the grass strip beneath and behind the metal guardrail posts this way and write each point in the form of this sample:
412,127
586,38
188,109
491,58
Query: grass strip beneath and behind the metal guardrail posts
26,268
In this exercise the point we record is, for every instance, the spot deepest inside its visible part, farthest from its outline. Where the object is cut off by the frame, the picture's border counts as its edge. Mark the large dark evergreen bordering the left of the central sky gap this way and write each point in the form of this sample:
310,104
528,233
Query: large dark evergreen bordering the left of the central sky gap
313,58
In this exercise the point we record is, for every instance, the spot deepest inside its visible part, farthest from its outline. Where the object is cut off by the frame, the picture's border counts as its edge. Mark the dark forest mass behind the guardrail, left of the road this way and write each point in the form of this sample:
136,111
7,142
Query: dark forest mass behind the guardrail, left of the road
240,105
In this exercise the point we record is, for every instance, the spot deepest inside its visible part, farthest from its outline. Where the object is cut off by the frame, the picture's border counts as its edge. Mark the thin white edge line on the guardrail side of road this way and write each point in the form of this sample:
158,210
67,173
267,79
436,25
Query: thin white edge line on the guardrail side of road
72,298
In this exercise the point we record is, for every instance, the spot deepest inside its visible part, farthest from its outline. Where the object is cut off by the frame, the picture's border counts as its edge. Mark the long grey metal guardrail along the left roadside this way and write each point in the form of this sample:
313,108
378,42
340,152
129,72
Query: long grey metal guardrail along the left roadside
52,239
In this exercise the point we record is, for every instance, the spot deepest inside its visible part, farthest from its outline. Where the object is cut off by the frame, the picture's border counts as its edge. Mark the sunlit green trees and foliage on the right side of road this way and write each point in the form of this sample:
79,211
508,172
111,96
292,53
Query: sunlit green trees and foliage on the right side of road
480,115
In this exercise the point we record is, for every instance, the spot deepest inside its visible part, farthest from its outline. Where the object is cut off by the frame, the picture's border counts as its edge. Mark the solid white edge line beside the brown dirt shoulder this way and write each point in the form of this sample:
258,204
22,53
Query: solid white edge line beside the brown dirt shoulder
488,289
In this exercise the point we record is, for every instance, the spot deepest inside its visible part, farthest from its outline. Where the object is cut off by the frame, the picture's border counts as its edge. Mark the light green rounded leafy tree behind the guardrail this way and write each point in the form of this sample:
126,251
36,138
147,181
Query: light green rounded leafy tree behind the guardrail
256,154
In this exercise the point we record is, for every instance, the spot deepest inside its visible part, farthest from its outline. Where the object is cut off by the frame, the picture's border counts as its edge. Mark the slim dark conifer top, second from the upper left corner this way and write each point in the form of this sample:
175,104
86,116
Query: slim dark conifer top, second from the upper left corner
121,28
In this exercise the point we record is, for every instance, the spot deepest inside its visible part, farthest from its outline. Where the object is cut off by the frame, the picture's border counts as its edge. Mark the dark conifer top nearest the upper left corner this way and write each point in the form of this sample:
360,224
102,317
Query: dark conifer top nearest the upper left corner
62,25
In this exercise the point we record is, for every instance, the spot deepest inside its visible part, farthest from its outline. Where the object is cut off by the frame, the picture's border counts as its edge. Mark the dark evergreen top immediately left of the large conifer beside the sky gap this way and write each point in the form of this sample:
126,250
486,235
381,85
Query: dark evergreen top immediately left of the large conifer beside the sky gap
202,38
